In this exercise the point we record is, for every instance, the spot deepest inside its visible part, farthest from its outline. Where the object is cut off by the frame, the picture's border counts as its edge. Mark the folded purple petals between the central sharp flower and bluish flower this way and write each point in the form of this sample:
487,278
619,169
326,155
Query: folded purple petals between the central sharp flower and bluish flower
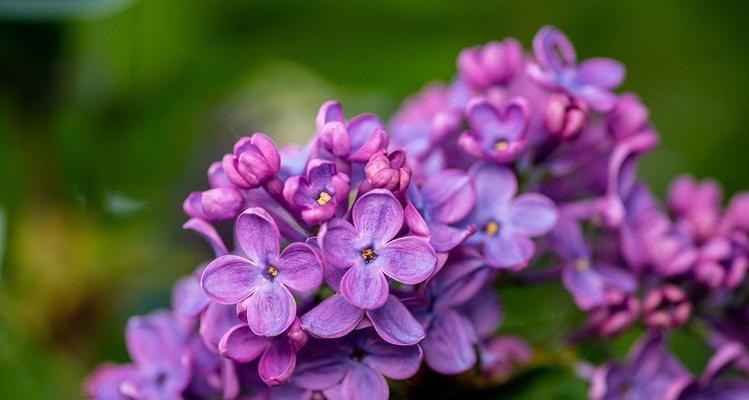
445,199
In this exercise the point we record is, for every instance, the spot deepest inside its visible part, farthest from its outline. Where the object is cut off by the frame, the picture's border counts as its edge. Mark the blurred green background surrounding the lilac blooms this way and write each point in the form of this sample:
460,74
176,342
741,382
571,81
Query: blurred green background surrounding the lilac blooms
111,110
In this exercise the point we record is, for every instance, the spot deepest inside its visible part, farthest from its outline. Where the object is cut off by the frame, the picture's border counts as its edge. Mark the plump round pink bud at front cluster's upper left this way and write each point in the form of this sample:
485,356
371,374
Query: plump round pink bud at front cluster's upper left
254,162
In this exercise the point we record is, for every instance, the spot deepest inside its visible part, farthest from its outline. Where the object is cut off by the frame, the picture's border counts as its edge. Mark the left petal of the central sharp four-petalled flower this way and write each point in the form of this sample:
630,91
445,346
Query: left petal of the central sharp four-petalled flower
337,242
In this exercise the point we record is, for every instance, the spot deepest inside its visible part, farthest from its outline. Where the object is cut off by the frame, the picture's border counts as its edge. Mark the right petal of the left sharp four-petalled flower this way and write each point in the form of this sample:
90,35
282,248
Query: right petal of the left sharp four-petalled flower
299,268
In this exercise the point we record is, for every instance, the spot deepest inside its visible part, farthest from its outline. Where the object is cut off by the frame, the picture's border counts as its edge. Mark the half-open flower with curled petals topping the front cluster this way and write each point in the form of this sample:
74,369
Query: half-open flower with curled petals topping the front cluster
356,140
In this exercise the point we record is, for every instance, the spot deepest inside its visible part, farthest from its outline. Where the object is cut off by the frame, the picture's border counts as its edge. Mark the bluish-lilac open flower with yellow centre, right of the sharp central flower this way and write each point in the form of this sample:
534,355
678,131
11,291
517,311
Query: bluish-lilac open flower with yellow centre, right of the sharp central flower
505,224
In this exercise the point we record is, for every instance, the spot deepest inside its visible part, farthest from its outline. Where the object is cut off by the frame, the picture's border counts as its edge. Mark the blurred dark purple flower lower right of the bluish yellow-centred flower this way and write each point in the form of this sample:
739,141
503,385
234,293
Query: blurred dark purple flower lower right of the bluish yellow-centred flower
588,281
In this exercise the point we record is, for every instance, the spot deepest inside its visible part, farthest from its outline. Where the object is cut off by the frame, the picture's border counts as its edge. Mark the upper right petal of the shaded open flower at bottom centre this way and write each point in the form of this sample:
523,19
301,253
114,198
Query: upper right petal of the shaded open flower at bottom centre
395,362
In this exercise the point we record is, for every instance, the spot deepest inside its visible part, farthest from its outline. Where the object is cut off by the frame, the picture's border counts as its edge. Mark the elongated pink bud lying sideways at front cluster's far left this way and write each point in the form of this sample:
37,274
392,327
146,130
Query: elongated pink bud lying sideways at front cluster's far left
214,204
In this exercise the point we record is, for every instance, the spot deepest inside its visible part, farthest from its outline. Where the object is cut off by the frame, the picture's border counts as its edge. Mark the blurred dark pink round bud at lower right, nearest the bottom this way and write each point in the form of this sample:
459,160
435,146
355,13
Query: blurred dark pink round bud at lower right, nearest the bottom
666,307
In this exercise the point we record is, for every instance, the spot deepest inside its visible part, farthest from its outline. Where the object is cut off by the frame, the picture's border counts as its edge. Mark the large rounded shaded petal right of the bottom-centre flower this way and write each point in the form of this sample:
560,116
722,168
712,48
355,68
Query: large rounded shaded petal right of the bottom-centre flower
449,345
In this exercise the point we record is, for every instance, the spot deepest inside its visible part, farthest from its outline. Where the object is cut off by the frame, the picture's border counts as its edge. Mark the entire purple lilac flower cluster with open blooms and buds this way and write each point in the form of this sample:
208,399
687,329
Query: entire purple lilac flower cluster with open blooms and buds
376,247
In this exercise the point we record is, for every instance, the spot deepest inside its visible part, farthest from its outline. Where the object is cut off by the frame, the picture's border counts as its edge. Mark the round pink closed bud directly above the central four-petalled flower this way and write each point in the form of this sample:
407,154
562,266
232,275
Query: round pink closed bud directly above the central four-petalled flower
388,171
